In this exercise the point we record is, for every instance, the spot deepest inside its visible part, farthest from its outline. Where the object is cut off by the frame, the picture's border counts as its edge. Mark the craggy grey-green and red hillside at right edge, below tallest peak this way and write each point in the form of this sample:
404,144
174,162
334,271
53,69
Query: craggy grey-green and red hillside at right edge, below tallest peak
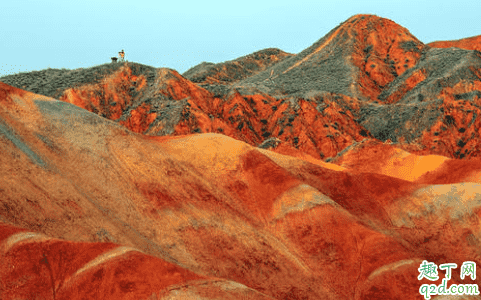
436,104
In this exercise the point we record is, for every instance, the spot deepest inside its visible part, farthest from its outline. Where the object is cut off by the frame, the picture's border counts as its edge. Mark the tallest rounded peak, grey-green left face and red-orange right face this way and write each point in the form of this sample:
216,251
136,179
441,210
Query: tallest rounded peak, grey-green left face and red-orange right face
358,58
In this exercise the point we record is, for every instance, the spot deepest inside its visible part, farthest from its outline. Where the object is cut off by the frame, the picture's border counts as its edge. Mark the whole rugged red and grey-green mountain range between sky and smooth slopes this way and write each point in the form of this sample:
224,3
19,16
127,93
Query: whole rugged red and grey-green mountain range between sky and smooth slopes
368,77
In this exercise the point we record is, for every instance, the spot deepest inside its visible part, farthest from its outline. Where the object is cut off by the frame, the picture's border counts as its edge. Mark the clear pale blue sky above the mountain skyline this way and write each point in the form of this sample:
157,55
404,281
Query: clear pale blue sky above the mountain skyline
36,35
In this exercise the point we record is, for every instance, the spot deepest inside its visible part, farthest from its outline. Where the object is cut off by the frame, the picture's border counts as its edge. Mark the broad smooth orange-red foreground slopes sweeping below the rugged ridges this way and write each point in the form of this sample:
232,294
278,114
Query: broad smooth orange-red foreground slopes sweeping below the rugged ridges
286,227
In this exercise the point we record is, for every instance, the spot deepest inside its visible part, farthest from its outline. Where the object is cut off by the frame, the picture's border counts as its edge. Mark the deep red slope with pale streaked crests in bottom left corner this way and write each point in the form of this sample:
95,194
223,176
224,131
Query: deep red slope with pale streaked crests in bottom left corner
36,266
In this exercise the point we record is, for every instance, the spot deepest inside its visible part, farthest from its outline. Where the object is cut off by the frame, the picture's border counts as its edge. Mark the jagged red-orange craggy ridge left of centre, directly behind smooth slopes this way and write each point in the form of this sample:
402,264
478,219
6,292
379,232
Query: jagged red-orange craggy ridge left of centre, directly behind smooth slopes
162,102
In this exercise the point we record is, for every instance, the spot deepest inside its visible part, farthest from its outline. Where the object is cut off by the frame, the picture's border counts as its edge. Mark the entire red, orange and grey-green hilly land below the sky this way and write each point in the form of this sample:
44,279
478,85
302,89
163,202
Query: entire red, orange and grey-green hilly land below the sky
328,174
